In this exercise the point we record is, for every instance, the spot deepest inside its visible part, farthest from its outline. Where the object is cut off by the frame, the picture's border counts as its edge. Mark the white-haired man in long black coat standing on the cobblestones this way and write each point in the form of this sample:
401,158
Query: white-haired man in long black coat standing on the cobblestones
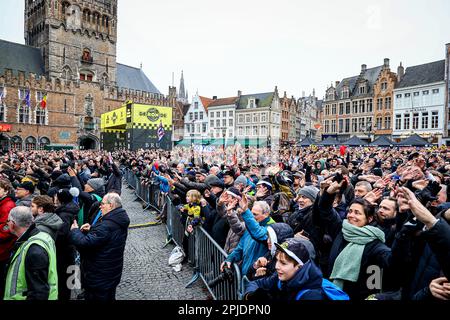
102,246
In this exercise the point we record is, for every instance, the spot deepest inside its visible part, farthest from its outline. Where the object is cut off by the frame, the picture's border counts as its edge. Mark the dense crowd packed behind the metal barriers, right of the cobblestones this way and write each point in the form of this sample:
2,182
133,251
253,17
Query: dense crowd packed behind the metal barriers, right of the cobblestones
316,223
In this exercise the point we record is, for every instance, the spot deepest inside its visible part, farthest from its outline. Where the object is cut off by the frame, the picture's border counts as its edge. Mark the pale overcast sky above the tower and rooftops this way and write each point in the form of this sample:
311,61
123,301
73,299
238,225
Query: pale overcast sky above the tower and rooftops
253,45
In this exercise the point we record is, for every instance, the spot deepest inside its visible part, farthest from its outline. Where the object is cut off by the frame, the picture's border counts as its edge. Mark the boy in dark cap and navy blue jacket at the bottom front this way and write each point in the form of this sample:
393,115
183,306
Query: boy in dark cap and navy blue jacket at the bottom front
296,278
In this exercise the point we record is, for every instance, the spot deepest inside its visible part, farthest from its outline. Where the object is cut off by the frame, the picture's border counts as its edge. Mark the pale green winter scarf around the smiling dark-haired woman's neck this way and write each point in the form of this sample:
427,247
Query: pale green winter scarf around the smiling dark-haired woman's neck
348,263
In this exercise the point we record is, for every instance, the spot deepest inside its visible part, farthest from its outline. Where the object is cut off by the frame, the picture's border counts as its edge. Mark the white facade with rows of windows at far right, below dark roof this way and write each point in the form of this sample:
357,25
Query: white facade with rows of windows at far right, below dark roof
419,109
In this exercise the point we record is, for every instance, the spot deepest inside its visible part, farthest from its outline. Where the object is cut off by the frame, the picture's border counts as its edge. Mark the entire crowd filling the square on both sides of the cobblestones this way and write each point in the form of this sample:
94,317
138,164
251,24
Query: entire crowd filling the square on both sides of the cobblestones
301,223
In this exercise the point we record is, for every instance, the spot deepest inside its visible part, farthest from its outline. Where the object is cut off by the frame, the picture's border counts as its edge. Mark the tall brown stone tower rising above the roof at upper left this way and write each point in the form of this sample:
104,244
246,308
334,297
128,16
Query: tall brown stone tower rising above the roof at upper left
77,38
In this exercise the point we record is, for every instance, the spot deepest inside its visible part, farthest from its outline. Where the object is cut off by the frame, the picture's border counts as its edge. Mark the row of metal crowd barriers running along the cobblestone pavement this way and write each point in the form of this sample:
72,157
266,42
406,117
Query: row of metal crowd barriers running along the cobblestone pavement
204,254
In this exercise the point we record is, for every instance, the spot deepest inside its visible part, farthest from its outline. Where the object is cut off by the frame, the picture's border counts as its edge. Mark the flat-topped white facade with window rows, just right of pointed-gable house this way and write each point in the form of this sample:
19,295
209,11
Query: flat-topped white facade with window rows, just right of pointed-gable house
222,121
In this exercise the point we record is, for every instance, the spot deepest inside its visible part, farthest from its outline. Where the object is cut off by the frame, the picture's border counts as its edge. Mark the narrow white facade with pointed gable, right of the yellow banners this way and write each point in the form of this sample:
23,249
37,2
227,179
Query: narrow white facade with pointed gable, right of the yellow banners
196,120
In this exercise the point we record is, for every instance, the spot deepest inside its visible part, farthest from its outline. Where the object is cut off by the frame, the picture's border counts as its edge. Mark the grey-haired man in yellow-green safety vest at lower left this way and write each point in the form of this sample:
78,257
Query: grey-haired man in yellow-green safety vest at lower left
32,273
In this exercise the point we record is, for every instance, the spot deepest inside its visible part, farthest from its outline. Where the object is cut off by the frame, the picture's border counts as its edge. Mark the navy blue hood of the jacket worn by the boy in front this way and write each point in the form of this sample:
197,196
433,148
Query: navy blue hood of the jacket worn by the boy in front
308,277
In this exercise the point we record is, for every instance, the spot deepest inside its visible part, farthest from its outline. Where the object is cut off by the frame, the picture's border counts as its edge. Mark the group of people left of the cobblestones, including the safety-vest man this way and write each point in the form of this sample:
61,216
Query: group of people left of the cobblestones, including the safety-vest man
62,225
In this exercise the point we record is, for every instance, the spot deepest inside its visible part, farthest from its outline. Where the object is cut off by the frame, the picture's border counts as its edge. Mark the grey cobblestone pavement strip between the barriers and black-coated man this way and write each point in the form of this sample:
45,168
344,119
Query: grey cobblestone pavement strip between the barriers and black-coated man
146,272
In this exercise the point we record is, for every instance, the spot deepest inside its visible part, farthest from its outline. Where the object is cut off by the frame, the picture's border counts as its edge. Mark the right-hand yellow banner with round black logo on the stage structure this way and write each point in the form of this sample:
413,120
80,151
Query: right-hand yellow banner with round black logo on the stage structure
150,117
